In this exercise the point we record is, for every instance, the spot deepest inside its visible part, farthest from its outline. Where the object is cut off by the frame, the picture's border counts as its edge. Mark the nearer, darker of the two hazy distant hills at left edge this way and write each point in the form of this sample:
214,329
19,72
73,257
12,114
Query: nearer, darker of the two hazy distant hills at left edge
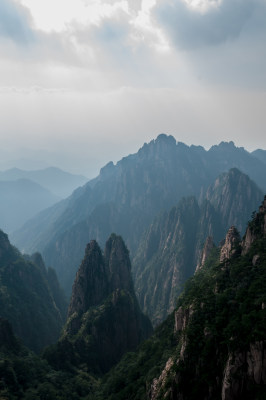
20,200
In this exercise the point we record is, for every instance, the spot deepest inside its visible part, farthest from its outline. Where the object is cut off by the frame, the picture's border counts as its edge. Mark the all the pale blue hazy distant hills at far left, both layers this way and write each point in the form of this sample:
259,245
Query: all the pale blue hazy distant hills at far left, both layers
25,193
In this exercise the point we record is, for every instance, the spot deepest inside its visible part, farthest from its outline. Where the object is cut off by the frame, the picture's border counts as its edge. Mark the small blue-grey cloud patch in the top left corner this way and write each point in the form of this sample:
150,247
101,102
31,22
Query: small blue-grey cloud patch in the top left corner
15,22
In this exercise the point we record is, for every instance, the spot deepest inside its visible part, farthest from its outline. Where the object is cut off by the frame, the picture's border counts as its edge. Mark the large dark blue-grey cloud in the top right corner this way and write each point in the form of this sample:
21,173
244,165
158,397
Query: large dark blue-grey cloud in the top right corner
222,22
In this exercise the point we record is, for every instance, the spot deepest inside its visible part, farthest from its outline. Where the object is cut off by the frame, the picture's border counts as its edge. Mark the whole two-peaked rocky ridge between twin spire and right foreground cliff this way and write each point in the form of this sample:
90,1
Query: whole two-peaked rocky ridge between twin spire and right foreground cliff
171,248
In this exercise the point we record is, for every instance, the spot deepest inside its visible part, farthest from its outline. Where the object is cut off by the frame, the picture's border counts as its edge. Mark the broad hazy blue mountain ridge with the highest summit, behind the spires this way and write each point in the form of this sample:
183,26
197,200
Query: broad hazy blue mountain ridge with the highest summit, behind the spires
129,195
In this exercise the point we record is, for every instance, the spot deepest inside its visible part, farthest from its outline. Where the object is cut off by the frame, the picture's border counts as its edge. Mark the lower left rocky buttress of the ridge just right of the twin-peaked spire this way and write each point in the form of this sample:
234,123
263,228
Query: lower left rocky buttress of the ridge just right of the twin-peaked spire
168,257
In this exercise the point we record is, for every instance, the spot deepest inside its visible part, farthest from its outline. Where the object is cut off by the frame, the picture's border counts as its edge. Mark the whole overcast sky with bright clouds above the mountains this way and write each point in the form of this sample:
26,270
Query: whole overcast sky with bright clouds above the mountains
83,82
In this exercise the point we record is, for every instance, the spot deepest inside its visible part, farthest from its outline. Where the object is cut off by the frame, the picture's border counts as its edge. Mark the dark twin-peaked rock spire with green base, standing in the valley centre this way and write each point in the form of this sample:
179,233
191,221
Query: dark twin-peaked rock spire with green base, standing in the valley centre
104,318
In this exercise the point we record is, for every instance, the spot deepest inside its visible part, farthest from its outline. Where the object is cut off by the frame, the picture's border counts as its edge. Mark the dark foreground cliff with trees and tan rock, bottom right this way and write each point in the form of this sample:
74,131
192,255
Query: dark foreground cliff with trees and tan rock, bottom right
239,370
